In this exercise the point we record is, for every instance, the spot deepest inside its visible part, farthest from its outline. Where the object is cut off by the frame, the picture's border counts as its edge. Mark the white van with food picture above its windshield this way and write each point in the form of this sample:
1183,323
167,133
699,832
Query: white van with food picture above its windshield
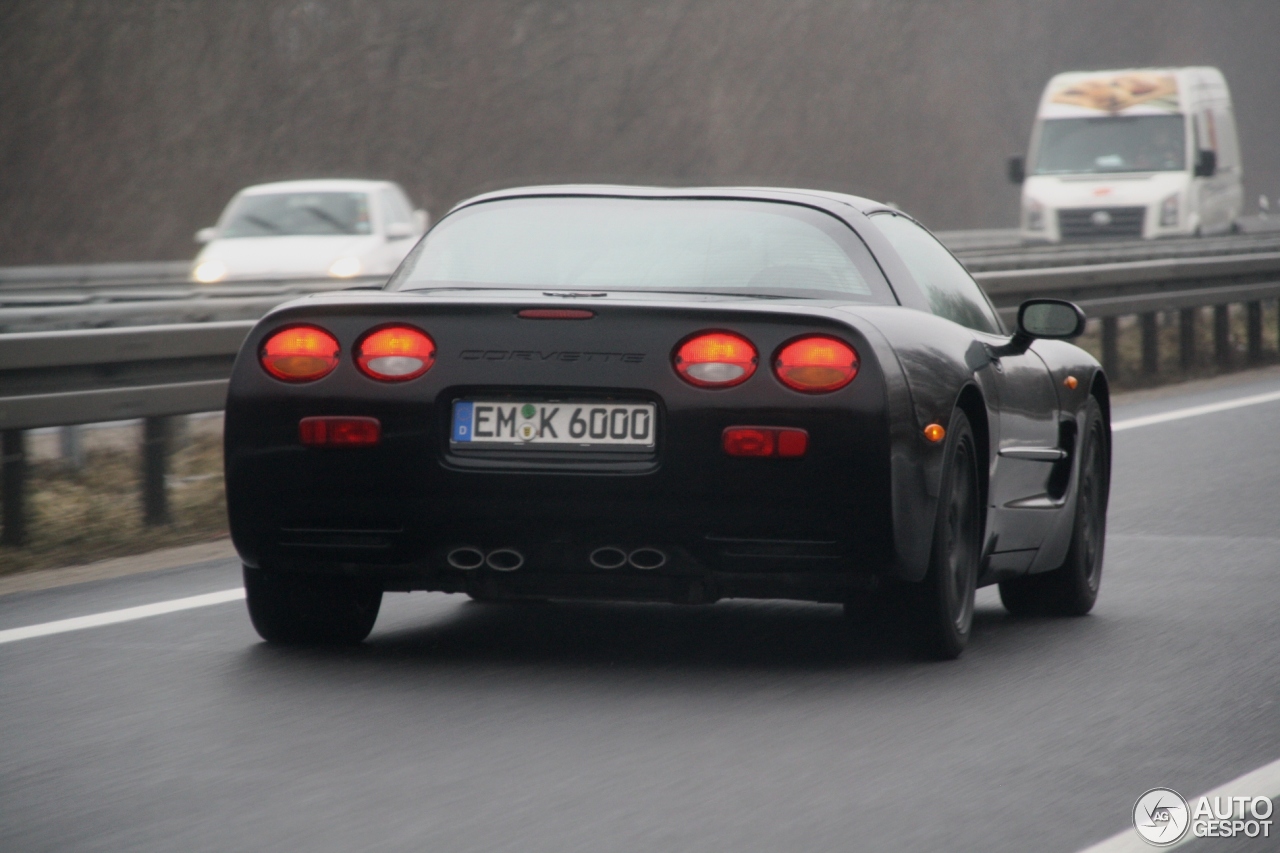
1131,154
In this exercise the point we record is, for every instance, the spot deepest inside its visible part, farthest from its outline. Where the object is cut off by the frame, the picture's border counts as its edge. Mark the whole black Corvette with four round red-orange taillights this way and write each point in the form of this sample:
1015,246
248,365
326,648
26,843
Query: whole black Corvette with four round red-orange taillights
668,395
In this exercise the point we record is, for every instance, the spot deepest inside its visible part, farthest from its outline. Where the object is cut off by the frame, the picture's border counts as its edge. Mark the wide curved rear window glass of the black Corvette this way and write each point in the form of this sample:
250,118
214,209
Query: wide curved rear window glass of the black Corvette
752,248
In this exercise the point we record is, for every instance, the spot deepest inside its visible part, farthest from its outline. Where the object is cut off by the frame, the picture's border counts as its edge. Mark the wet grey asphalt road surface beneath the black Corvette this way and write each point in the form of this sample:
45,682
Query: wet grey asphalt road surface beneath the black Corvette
740,727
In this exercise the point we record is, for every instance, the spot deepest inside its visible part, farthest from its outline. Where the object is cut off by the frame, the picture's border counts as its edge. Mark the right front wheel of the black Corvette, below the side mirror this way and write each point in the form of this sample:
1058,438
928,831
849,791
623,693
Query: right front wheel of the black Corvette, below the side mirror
1072,590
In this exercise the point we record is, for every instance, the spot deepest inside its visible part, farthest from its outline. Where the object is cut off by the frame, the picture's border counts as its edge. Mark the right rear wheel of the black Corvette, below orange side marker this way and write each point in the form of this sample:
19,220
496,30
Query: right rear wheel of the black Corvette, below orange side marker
941,608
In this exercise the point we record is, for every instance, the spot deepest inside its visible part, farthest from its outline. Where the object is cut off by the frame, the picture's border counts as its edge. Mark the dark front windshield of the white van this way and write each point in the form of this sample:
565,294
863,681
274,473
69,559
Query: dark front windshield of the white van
1112,144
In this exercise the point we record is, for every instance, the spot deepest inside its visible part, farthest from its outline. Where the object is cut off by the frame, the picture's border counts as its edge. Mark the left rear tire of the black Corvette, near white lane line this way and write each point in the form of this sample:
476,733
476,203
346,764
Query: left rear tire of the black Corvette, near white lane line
310,609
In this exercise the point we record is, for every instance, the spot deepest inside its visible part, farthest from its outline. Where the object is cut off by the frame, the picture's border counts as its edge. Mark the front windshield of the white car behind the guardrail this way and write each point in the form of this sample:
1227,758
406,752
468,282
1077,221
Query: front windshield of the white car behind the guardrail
299,213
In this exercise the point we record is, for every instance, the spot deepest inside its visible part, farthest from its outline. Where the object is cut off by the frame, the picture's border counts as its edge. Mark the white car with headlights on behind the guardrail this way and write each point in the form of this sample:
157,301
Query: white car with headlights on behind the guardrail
310,230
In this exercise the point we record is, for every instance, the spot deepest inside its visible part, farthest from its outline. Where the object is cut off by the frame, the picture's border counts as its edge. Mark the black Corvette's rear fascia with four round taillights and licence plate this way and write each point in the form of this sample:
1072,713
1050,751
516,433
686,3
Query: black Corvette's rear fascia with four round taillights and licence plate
680,478
